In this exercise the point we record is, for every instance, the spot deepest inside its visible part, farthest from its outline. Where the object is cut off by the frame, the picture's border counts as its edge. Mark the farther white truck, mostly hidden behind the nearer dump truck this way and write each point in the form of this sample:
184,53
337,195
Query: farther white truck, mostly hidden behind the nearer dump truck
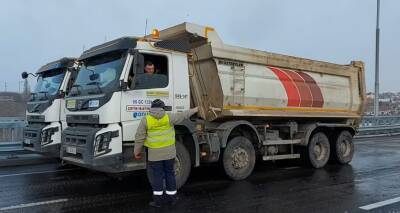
45,109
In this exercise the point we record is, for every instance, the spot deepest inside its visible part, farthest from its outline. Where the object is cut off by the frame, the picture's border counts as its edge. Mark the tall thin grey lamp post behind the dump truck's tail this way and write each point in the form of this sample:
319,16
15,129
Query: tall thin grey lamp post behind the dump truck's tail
376,98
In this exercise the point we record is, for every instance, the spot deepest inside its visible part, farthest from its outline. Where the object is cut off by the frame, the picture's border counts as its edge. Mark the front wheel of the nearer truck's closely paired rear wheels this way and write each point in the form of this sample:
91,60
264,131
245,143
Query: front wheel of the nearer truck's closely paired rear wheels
318,150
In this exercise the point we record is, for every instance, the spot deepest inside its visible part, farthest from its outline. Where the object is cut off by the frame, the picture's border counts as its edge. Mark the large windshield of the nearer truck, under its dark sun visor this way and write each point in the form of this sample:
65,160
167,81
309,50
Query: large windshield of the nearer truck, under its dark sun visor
99,74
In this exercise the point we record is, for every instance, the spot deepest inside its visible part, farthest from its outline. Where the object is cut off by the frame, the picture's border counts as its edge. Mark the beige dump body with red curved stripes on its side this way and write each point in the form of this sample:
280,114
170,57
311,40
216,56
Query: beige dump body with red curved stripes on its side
231,81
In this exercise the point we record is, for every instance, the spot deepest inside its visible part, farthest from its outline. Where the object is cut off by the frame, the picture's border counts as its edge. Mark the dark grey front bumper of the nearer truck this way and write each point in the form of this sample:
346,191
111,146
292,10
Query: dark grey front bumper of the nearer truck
77,148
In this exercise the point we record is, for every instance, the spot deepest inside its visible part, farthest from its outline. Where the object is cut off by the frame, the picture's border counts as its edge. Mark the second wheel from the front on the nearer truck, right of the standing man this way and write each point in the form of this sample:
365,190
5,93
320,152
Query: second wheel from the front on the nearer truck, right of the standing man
239,158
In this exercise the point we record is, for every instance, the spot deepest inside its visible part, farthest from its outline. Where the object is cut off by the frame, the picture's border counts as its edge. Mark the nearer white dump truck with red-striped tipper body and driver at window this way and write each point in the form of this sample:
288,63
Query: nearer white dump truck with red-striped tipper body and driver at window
253,104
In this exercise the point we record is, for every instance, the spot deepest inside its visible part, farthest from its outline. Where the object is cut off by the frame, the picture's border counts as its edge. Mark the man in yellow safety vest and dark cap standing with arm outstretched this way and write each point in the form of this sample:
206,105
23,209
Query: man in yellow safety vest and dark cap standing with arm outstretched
156,132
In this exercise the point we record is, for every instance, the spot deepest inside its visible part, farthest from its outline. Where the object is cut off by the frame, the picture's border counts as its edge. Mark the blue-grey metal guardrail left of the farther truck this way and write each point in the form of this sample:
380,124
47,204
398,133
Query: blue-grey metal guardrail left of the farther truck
11,133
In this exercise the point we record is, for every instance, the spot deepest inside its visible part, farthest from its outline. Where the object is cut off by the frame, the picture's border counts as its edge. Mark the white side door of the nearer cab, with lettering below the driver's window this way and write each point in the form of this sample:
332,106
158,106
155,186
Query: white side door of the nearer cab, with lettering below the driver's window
145,87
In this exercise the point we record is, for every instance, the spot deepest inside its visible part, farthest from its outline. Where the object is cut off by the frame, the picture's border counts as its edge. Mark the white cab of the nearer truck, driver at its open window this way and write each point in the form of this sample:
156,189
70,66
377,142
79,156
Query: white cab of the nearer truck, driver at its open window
110,96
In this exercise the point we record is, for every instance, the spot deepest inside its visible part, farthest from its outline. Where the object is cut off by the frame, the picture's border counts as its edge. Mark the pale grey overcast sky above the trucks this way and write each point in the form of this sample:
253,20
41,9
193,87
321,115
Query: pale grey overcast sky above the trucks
35,32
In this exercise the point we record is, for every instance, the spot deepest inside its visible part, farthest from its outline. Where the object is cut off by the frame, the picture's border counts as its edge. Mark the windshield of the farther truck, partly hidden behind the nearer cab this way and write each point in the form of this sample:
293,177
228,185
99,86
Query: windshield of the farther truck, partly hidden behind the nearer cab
48,84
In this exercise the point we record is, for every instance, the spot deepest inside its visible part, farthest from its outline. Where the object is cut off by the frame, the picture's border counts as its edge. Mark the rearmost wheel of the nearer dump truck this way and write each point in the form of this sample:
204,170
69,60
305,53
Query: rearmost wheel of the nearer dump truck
343,147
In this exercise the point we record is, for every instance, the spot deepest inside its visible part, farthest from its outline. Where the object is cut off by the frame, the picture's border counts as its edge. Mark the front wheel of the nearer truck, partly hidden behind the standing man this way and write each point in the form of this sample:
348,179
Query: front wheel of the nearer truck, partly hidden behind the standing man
182,166
